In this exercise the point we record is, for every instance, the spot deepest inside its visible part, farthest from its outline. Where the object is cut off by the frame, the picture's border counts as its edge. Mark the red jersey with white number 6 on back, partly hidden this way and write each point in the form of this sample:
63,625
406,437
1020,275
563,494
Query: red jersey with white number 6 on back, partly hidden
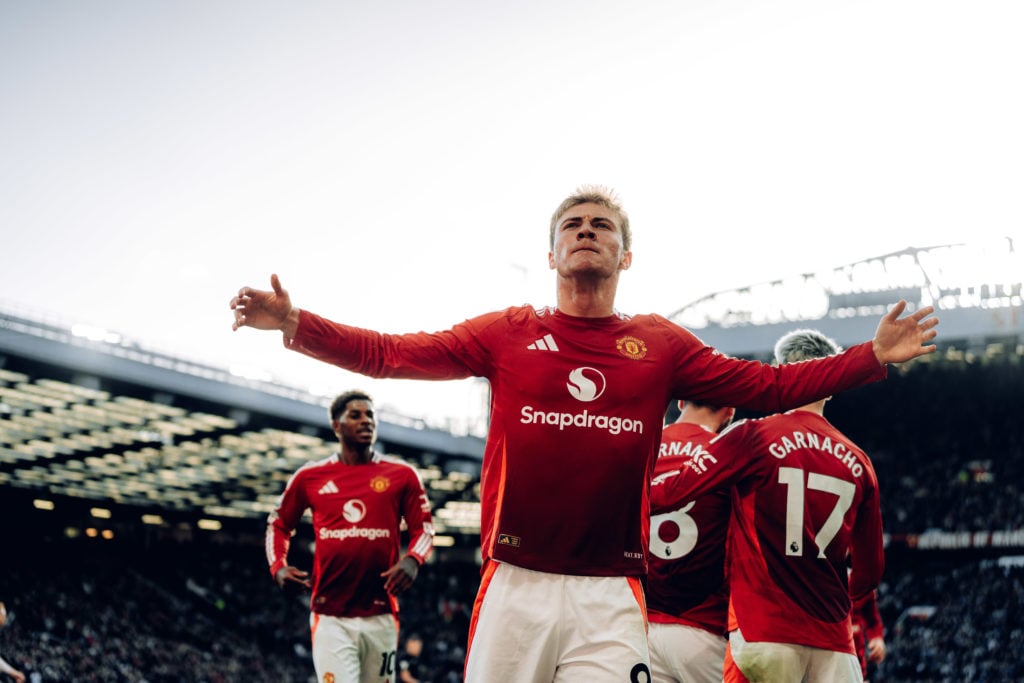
687,563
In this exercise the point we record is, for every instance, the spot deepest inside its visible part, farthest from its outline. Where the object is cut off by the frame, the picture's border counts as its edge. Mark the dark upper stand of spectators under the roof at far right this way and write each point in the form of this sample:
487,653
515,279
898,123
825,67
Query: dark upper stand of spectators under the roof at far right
948,444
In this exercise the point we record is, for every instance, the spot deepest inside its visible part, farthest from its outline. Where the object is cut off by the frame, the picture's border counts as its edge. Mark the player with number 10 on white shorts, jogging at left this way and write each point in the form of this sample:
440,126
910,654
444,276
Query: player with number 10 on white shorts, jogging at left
358,499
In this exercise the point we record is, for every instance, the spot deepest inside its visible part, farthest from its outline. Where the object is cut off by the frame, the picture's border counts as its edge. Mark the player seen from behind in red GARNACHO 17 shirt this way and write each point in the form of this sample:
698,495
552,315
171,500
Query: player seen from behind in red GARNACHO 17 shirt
806,499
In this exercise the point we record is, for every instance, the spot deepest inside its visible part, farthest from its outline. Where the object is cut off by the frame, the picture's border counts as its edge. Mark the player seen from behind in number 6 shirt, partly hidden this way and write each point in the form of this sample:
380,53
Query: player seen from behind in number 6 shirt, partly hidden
688,593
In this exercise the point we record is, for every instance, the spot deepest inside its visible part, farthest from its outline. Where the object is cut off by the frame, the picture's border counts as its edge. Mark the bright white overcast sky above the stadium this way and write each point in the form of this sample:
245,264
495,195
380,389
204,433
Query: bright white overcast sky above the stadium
397,163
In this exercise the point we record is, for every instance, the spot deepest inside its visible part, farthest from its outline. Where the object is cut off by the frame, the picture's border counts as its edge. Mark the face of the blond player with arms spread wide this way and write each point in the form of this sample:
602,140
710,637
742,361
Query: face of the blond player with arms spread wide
589,242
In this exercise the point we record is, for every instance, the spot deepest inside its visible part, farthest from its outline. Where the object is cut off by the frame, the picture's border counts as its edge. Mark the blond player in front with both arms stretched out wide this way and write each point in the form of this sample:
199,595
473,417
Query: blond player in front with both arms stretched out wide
578,398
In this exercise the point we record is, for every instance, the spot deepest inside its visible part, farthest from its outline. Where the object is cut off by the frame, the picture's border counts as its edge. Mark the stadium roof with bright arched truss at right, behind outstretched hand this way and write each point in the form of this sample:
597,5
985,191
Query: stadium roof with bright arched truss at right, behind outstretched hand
976,289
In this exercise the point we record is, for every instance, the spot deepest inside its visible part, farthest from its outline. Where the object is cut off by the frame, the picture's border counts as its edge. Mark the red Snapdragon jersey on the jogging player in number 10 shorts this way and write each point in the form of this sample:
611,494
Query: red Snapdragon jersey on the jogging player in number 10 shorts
357,516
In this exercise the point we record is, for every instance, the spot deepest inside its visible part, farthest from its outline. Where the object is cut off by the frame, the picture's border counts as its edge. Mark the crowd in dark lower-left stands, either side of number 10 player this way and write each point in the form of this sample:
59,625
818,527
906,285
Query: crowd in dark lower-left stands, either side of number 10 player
98,613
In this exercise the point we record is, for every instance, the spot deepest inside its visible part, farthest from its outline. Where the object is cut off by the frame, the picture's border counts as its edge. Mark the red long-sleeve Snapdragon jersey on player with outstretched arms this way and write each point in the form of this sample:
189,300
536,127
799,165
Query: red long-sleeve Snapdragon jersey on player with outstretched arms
576,417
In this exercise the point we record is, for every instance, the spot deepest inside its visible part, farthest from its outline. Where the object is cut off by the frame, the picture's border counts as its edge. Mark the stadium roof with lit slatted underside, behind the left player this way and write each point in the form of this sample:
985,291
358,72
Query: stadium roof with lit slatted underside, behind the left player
104,431
